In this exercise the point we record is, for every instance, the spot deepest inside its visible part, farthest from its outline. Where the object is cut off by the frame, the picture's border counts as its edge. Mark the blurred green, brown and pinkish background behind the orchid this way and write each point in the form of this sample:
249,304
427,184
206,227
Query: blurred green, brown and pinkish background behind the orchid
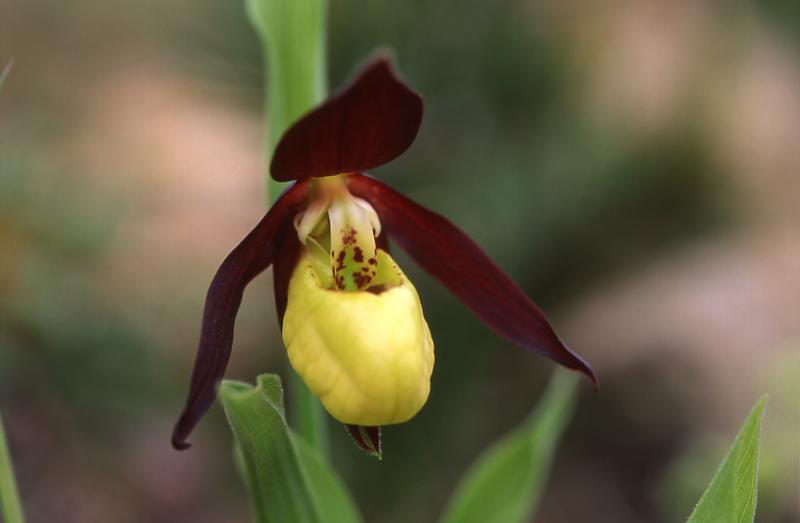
634,166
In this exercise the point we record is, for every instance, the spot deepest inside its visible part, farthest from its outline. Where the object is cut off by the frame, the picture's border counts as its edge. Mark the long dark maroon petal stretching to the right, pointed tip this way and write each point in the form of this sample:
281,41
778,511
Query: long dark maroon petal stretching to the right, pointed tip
448,254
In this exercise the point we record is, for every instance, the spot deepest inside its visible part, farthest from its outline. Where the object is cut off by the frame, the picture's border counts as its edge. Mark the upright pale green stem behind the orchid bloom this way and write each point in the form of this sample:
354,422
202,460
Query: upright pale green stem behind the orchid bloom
293,37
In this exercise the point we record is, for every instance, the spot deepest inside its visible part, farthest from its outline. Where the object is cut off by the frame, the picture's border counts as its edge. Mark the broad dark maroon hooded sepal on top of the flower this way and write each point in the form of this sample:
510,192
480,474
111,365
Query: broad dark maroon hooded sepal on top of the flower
371,122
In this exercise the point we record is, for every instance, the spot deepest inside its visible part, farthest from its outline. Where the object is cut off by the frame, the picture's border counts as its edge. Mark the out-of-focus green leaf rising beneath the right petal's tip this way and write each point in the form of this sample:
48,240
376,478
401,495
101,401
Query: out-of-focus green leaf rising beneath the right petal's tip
504,484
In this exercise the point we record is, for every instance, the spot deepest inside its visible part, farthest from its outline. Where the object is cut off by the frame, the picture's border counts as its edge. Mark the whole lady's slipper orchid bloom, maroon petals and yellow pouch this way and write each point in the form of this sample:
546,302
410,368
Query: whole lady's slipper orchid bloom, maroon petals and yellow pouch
351,320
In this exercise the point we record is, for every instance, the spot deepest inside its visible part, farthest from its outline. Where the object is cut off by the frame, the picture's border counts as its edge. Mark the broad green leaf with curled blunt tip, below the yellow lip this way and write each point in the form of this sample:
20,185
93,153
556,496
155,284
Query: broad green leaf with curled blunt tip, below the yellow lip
286,478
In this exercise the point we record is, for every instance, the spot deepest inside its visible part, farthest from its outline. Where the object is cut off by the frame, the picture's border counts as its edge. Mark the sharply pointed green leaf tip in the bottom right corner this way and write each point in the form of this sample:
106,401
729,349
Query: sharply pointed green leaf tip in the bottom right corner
731,496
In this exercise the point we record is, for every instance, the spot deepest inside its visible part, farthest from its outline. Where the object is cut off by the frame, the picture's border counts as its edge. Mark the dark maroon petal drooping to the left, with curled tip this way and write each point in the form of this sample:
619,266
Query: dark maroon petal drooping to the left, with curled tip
254,254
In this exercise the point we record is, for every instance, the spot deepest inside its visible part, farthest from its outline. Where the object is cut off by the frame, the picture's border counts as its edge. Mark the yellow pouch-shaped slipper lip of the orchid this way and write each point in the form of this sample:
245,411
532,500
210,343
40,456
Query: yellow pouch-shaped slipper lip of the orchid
367,355
